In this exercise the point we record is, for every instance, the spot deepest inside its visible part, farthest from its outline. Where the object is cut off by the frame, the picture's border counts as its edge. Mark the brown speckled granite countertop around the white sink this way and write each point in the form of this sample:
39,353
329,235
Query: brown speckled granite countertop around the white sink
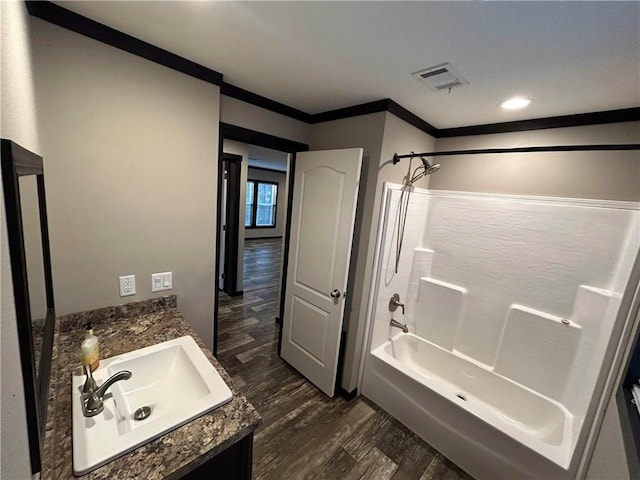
121,329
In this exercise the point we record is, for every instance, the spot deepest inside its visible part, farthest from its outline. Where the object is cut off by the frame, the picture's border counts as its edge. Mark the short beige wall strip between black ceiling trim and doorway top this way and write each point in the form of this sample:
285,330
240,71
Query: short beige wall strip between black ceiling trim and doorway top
246,115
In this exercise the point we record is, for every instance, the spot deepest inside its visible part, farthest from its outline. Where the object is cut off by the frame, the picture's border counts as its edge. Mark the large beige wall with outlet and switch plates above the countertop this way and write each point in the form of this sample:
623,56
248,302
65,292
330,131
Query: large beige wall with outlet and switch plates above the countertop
130,152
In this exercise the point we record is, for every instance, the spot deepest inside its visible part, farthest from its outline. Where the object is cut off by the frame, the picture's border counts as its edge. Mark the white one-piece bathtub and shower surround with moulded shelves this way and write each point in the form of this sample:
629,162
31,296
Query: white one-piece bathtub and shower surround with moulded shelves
511,303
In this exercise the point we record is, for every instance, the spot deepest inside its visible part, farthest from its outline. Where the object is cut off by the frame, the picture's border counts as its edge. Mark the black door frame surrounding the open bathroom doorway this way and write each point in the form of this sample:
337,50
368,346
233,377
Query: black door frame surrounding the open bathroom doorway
245,135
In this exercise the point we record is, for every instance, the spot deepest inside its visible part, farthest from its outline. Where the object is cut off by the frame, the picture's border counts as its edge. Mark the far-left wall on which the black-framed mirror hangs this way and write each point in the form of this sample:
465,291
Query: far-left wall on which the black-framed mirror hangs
17,123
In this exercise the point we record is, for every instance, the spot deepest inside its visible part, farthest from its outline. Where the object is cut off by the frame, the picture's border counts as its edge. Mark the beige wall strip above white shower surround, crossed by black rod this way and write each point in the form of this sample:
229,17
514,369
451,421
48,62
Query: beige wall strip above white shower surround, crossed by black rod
602,175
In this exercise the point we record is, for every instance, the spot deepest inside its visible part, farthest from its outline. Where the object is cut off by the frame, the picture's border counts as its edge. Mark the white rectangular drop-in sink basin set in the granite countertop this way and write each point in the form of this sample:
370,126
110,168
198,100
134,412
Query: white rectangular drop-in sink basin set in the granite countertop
174,379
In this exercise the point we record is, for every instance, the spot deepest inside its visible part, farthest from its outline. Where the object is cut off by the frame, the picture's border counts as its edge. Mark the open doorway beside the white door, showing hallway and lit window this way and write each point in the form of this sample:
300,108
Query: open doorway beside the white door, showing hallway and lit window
250,259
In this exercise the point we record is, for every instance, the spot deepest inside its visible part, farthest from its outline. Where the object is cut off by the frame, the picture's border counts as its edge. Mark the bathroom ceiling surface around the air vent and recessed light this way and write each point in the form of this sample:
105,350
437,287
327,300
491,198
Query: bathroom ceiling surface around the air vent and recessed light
570,57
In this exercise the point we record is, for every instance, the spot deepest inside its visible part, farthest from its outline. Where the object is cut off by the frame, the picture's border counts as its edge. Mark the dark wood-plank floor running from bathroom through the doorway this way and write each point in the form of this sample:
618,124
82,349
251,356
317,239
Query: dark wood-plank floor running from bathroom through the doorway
304,434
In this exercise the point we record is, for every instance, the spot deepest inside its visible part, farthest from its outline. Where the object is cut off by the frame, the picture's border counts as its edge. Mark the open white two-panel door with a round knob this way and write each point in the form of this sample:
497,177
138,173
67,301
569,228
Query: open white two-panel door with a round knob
323,213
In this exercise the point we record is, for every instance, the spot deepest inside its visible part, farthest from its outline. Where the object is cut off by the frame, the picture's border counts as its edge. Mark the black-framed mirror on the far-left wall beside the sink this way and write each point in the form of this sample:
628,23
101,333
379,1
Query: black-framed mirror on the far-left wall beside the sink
28,238
